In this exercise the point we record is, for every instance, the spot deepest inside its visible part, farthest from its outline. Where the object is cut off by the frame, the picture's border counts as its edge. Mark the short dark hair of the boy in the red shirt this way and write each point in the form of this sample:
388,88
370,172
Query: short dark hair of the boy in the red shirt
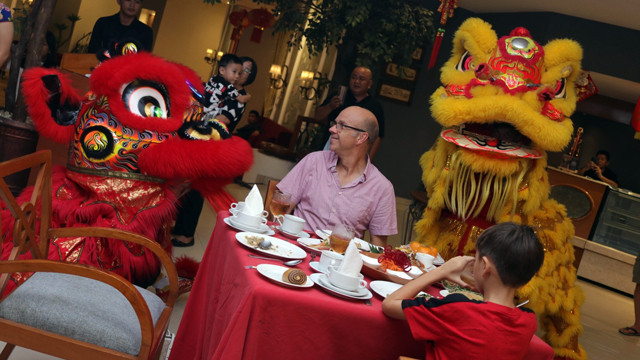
515,251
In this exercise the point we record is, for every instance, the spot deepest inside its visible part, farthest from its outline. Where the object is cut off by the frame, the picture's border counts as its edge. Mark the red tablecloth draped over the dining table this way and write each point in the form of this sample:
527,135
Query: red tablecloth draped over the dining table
234,312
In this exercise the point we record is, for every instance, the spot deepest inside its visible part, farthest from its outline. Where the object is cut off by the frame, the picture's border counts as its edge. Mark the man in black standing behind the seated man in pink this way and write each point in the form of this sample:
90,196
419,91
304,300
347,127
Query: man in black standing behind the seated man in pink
358,94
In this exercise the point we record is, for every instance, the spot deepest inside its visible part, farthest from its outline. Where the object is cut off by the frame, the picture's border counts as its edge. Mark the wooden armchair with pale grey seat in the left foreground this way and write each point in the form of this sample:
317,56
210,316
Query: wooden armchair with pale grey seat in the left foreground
70,310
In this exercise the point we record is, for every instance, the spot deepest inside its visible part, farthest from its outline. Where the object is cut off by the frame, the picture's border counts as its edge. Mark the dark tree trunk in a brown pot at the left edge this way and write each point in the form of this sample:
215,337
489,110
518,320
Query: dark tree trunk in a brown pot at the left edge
17,135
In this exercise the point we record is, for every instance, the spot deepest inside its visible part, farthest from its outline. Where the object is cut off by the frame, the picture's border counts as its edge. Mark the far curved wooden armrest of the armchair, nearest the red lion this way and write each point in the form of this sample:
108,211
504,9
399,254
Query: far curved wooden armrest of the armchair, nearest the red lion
129,236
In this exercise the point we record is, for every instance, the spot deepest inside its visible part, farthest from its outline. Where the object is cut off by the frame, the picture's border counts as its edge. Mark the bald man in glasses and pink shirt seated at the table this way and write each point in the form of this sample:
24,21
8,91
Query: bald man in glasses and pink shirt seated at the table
341,185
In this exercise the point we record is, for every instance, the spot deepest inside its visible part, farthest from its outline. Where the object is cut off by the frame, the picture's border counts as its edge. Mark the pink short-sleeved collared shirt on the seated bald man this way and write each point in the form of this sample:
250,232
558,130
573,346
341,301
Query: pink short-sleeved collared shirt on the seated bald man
368,203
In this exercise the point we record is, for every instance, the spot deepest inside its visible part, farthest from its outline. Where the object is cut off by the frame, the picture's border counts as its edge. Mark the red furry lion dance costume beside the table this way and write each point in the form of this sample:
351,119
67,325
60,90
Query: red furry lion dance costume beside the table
136,140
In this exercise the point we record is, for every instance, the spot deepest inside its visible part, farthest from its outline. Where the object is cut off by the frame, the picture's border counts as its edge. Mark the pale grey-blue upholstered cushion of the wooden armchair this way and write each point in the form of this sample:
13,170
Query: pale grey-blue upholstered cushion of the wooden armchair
81,308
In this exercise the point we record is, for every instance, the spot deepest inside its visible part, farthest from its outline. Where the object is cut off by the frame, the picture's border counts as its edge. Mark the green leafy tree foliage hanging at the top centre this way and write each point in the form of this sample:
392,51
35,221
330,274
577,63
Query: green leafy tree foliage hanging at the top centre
367,33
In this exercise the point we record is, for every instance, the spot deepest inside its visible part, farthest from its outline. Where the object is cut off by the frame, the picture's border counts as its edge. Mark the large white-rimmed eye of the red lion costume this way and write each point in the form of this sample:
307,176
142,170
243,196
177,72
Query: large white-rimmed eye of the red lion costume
146,99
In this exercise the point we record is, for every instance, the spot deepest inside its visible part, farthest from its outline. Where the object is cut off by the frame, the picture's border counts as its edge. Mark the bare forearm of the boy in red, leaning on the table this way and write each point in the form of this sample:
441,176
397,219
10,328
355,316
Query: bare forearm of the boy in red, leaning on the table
451,270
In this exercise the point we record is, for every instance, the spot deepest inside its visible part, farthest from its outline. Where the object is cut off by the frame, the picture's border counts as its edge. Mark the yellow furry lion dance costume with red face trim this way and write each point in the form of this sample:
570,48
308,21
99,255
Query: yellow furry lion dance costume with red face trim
503,103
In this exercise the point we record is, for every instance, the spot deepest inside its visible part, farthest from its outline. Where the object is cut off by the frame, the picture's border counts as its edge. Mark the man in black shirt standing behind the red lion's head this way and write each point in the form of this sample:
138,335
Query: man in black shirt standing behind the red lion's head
123,25
